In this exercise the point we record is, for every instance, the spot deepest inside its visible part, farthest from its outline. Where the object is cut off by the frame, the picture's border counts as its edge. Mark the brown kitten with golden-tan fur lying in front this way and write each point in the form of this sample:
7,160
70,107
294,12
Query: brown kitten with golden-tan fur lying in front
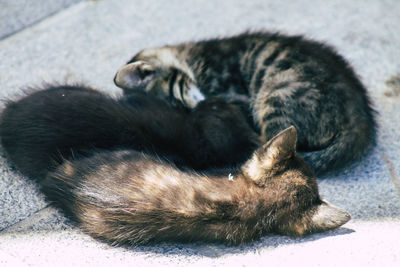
125,197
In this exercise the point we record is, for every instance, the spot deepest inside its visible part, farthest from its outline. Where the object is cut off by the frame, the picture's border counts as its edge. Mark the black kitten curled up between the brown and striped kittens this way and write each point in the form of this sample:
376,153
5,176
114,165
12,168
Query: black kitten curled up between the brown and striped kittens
42,129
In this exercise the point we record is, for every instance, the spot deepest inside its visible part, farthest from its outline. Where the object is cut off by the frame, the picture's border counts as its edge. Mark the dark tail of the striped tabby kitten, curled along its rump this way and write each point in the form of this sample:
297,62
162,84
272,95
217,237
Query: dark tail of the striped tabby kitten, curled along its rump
348,147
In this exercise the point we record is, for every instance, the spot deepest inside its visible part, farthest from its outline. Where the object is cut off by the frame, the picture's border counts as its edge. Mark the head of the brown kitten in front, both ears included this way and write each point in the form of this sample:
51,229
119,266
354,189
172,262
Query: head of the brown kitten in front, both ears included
288,182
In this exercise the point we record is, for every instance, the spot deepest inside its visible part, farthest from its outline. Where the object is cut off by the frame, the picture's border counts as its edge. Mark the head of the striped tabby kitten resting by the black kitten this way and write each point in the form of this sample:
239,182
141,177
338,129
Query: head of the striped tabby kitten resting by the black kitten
160,73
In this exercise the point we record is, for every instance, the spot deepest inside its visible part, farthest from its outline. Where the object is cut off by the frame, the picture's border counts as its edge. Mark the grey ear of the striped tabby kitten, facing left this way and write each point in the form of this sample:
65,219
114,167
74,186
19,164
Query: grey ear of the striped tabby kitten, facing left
135,75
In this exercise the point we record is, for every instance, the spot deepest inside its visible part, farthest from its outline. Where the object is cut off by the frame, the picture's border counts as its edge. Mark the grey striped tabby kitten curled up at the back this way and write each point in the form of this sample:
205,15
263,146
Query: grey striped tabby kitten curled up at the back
279,80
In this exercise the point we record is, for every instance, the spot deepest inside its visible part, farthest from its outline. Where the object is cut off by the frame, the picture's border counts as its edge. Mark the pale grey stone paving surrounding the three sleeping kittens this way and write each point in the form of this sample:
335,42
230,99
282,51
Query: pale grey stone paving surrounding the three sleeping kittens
87,41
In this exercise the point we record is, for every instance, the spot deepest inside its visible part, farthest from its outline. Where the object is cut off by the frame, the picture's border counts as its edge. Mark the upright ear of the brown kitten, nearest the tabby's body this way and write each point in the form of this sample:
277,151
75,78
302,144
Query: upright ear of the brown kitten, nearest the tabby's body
279,148
